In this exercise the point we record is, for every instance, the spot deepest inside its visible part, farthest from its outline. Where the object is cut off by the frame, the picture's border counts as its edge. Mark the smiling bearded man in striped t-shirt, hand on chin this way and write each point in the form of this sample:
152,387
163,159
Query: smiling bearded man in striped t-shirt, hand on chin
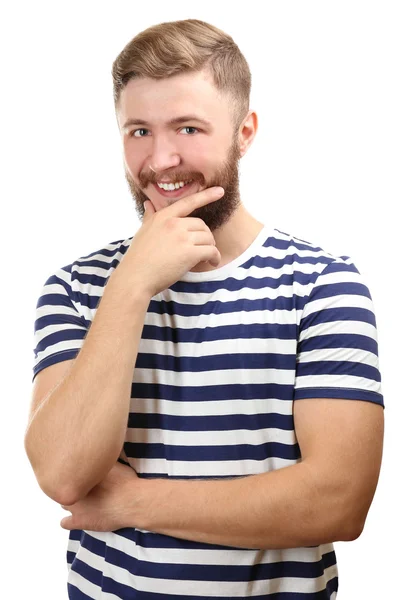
207,401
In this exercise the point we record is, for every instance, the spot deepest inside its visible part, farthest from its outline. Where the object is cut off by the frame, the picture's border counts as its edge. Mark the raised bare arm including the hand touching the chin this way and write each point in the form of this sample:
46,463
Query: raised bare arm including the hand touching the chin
76,435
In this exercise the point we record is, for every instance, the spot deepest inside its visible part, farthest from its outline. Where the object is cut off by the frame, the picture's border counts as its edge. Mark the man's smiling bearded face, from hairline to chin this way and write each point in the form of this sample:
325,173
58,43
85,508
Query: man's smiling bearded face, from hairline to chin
156,151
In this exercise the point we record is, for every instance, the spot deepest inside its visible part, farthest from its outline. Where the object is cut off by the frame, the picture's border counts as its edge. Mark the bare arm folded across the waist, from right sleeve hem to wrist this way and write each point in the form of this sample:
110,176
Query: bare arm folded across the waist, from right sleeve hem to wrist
323,498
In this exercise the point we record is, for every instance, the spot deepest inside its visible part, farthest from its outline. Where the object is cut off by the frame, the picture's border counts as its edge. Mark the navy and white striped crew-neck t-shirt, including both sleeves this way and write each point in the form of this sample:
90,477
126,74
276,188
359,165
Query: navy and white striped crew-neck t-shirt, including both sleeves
222,357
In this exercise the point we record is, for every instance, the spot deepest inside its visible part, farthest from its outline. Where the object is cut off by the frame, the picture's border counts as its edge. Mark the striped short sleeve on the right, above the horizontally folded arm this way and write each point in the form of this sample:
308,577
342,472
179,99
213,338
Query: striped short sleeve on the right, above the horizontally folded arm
337,349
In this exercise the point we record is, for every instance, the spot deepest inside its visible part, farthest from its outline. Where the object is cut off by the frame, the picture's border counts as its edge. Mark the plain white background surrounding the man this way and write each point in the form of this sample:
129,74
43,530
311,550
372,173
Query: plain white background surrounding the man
324,167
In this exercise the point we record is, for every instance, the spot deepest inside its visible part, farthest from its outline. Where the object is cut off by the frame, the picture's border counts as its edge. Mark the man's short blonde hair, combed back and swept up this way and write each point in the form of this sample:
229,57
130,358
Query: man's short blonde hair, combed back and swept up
168,49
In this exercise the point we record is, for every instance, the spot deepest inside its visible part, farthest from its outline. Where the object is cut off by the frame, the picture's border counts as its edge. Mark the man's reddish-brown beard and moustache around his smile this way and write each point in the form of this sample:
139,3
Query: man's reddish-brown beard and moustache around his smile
214,214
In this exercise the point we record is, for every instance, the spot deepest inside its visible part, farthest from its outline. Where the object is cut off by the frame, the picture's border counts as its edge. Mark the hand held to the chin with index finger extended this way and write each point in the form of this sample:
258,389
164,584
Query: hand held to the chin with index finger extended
169,244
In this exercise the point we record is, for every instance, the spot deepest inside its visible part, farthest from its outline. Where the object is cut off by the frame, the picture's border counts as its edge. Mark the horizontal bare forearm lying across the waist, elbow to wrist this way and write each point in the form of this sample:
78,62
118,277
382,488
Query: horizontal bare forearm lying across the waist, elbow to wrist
280,509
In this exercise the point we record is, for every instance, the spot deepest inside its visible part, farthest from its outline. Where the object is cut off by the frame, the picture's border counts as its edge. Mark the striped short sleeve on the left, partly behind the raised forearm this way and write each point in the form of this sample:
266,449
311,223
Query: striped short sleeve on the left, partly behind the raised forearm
59,328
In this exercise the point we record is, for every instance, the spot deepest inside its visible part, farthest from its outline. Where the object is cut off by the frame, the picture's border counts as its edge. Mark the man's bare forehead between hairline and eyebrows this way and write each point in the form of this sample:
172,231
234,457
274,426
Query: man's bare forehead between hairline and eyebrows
158,100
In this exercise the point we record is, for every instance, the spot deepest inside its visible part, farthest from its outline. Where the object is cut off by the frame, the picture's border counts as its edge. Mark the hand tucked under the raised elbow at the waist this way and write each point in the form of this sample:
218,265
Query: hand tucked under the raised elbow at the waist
110,505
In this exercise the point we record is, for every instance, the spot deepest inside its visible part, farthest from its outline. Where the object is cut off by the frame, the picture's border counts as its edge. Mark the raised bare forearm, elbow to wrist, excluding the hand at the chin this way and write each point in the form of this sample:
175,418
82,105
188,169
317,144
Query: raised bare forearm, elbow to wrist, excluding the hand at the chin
77,434
